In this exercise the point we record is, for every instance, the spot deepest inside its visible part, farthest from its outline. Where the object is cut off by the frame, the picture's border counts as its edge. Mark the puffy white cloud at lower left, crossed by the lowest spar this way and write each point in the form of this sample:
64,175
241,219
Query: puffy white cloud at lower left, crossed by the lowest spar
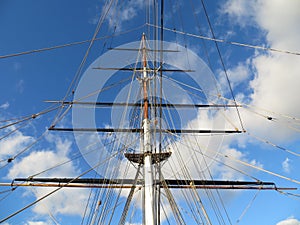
65,201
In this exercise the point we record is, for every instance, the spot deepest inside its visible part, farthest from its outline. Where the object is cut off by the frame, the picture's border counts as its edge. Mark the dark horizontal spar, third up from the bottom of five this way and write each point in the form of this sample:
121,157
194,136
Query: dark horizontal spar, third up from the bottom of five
175,105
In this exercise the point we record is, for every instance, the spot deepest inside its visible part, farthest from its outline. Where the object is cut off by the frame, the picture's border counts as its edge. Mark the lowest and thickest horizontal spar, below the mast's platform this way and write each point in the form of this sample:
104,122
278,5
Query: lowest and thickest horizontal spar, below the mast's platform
129,183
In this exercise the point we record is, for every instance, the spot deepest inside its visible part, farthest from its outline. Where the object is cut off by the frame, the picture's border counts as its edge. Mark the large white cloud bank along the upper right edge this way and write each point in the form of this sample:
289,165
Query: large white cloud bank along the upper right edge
276,82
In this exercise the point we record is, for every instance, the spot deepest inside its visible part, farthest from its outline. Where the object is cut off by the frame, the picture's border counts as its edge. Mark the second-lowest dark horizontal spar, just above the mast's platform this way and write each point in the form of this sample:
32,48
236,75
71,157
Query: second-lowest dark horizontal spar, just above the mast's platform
138,130
